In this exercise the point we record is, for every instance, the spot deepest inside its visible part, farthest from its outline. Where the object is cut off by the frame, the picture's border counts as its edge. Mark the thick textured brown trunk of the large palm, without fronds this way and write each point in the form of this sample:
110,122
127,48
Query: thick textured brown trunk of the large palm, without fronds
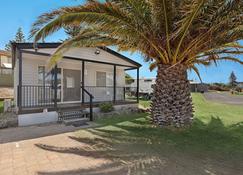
172,102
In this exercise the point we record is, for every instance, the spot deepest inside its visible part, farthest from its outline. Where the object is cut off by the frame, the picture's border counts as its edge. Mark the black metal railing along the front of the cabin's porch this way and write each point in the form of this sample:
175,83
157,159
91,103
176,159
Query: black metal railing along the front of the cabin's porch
34,96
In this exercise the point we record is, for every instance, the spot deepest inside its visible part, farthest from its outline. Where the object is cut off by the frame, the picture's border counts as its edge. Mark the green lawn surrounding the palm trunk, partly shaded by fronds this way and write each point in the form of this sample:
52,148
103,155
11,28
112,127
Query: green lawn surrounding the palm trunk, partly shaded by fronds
212,145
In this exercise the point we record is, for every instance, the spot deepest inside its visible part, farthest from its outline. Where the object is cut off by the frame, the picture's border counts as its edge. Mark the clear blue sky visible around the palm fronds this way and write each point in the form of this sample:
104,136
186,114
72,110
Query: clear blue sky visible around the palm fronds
22,13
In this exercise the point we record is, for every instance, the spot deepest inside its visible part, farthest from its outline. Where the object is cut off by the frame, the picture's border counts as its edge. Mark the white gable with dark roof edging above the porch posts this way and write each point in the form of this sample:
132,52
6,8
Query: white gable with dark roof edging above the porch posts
105,55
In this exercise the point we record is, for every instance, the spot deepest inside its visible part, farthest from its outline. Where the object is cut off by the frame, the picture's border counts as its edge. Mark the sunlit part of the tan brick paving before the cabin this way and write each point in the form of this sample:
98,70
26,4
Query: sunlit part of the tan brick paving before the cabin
25,157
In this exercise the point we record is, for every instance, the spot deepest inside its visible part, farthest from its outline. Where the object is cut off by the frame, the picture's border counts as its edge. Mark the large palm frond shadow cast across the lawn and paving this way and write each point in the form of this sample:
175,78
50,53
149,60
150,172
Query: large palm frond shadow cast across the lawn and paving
136,147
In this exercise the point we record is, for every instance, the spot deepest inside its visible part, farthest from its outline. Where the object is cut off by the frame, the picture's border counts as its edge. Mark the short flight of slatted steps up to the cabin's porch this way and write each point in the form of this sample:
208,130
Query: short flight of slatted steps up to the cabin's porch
72,114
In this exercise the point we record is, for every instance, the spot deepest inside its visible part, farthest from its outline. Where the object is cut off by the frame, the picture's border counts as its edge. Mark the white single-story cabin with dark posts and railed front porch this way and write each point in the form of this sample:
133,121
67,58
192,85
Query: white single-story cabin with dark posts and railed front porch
81,80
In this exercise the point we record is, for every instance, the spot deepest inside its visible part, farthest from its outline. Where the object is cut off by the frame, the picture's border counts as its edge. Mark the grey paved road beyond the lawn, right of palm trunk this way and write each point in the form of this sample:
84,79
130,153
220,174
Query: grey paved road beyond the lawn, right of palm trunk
224,97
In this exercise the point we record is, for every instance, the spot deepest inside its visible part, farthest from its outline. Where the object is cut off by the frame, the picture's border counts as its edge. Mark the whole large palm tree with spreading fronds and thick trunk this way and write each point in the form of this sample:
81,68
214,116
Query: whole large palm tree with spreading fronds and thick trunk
173,36
